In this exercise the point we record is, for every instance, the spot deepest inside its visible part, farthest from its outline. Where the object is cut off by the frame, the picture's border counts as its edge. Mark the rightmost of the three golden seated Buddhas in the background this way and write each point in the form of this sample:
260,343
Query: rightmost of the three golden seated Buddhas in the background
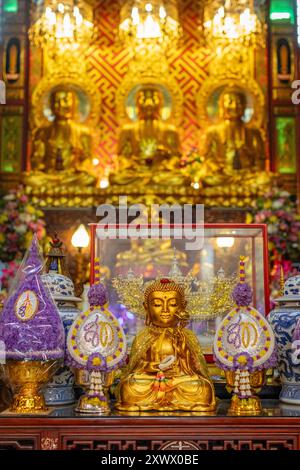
232,151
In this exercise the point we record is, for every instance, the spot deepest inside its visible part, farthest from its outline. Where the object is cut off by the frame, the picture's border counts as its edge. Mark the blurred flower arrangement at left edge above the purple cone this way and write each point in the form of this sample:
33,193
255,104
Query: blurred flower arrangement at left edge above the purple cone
19,220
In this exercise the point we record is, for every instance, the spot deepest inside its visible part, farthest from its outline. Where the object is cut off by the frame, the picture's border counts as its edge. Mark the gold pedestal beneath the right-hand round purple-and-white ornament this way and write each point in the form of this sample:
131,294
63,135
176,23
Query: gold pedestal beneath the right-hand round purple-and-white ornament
246,406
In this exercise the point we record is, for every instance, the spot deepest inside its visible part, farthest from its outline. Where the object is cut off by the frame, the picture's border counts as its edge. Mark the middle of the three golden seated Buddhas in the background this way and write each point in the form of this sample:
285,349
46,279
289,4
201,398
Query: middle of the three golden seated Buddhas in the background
148,149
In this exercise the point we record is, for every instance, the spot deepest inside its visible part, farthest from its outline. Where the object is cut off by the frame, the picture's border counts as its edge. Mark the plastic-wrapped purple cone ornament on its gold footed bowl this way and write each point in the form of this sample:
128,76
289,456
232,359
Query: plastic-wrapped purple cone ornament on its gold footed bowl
32,333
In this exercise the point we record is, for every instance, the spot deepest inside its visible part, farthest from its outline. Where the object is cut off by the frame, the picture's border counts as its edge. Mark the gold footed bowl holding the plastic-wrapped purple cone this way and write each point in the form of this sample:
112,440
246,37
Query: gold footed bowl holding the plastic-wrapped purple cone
27,379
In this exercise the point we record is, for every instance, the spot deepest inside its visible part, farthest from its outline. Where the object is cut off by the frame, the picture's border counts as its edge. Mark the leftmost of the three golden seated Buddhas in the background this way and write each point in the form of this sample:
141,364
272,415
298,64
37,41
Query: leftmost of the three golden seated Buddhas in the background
62,149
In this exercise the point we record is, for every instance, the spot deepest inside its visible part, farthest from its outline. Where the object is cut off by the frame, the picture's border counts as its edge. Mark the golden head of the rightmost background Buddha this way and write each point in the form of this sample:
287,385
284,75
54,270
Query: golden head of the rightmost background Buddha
232,104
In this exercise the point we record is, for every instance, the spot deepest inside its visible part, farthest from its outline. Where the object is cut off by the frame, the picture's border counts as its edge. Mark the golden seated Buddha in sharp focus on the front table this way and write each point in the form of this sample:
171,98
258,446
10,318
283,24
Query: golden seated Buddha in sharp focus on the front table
166,369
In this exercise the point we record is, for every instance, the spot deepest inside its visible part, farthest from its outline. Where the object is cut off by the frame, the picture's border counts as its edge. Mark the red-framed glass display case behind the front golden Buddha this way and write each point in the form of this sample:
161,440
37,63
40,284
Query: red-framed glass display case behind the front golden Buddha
215,263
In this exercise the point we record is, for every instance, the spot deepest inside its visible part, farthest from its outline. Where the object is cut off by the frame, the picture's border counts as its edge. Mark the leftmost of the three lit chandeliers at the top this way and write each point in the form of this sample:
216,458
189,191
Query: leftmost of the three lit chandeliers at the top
62,26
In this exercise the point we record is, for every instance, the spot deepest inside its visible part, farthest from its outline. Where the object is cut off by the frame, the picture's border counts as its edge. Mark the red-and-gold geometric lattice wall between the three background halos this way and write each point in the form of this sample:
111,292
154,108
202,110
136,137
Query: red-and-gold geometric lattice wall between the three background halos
108,63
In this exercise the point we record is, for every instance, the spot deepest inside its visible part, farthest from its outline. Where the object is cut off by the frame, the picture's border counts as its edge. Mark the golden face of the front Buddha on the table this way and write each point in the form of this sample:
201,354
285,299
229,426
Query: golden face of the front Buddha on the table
163,307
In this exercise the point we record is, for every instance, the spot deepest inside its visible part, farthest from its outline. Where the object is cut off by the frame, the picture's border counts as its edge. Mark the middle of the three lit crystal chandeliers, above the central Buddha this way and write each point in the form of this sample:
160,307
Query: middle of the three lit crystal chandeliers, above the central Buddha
149,25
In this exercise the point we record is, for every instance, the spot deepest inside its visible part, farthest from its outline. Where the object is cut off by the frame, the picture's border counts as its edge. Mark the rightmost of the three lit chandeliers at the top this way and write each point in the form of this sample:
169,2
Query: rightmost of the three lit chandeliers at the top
232,21
